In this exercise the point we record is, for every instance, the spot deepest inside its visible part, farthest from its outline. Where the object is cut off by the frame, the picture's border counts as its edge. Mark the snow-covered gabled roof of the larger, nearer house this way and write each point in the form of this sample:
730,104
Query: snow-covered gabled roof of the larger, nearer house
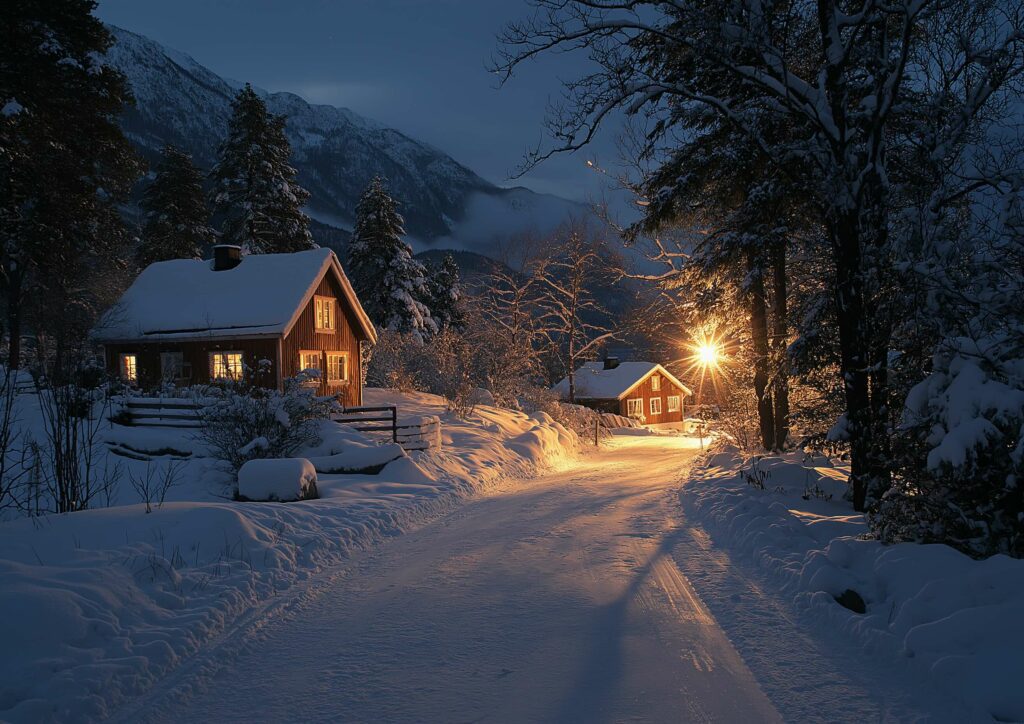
263,296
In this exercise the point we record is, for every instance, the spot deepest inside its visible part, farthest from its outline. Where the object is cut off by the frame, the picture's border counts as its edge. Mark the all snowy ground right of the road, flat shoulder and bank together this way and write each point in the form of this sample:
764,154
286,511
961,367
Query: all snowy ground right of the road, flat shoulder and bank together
935,620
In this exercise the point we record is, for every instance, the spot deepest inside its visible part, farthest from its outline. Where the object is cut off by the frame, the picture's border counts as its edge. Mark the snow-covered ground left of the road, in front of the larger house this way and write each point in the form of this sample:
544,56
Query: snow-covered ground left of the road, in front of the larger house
98,606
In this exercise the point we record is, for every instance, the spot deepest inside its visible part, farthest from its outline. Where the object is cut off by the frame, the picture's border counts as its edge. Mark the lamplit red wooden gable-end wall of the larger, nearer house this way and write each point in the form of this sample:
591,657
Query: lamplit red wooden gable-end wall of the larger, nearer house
345,339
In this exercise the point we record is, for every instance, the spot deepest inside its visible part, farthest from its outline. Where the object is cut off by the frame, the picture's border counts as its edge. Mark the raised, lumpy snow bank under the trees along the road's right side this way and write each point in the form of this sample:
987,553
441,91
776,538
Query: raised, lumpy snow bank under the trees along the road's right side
952,618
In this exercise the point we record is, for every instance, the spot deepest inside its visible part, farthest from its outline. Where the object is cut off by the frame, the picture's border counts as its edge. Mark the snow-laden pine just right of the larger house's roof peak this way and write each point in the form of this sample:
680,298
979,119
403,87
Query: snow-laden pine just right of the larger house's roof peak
390,282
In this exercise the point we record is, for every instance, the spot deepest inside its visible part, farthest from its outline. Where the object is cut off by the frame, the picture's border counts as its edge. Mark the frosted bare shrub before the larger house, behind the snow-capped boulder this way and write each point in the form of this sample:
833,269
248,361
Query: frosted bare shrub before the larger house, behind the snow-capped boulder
243,422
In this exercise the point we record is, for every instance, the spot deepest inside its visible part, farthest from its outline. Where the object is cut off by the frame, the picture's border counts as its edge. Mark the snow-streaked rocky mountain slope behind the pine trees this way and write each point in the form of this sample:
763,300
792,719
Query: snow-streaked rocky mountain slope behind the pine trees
336,152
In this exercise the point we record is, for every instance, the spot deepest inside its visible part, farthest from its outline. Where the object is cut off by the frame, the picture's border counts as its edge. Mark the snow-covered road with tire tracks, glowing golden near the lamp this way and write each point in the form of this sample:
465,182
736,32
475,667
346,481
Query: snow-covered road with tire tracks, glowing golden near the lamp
554,600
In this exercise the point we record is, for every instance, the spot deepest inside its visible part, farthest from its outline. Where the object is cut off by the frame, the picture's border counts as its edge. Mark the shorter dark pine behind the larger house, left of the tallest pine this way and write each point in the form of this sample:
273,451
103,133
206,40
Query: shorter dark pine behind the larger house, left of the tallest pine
177,219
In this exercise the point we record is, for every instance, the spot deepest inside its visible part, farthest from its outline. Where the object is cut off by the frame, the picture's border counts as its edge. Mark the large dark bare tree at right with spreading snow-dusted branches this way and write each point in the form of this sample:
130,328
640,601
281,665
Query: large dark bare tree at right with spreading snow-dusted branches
842,72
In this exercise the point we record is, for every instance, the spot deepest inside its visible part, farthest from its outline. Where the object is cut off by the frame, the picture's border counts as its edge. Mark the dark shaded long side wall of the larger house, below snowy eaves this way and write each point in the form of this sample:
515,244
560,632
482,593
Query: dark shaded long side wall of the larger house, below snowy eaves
197,354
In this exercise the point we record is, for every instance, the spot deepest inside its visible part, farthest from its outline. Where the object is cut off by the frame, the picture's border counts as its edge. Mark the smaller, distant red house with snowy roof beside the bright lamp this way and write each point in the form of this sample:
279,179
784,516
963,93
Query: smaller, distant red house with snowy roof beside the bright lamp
643,391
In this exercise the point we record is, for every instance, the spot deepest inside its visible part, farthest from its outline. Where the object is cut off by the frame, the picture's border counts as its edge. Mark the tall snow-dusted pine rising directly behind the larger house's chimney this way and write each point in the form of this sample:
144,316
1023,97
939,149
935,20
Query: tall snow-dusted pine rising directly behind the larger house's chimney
254,183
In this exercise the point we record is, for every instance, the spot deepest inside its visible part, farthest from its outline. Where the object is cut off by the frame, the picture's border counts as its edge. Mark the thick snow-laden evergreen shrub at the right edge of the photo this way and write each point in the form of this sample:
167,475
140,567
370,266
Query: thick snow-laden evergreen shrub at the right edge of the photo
961,480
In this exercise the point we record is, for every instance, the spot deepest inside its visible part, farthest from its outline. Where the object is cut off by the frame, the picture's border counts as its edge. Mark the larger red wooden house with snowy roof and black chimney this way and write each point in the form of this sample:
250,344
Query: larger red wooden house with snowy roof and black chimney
192,322
